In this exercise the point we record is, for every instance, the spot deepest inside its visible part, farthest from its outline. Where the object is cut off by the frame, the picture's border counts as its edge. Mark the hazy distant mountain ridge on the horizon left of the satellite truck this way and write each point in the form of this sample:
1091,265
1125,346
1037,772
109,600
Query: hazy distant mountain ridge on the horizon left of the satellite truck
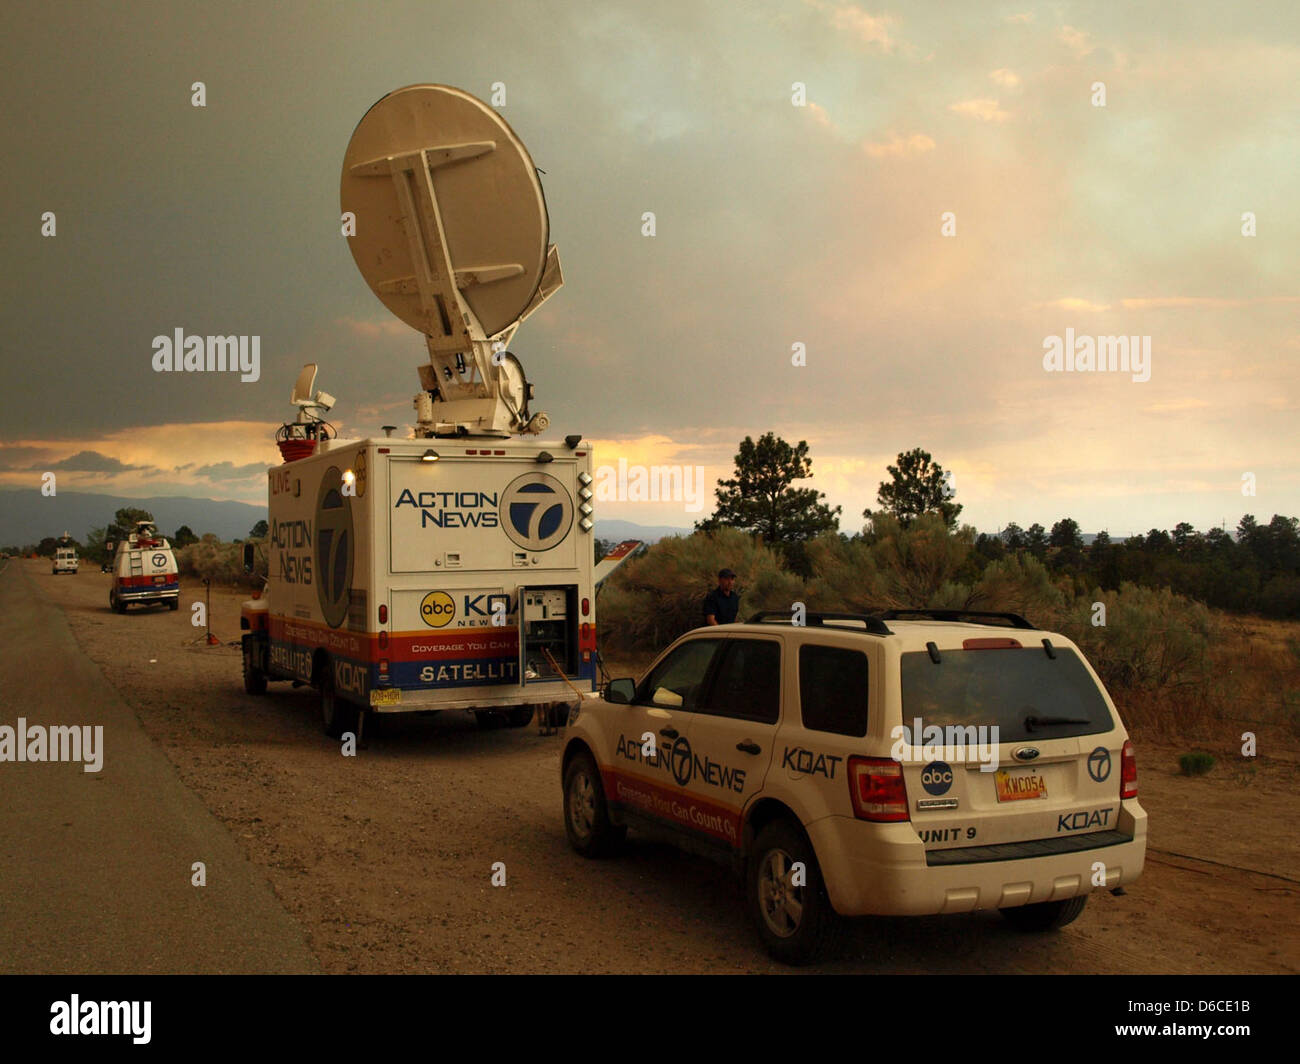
28,517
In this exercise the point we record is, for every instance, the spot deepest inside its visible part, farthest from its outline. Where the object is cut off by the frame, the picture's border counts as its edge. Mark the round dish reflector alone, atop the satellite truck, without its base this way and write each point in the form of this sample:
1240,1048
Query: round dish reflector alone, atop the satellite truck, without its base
437,179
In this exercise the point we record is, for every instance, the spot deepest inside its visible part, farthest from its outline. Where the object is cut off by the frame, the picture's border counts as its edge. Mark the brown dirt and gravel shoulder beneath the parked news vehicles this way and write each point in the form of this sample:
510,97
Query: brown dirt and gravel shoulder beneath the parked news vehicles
387,859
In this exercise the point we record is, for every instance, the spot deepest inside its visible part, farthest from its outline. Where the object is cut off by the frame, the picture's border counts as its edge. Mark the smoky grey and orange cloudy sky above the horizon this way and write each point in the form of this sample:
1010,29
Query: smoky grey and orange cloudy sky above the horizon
777,224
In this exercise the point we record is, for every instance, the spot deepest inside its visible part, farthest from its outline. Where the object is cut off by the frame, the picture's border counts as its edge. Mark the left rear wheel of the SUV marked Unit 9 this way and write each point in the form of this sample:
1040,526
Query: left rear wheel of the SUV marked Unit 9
792,920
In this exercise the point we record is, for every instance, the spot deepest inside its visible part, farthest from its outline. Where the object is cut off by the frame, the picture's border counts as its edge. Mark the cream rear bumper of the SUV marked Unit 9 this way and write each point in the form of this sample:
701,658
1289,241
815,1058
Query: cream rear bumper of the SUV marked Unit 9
883,870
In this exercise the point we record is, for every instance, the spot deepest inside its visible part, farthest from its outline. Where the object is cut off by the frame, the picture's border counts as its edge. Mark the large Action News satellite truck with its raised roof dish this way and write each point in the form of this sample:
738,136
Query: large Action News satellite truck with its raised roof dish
453,569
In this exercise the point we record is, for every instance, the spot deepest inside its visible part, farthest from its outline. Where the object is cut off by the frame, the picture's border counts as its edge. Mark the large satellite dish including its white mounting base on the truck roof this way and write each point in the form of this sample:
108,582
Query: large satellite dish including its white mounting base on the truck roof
453,237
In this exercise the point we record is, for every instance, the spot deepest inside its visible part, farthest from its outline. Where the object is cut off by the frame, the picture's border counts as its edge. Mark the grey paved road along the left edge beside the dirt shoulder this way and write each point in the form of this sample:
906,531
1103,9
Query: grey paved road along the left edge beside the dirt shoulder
96,868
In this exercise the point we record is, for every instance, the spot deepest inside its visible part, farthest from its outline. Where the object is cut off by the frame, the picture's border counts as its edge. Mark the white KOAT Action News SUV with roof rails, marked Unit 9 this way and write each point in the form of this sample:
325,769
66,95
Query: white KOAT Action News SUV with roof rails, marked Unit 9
909,762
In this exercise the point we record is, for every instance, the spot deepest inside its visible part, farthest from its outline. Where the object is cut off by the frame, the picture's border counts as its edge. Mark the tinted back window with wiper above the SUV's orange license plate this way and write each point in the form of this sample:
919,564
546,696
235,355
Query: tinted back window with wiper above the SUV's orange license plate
1004,687
